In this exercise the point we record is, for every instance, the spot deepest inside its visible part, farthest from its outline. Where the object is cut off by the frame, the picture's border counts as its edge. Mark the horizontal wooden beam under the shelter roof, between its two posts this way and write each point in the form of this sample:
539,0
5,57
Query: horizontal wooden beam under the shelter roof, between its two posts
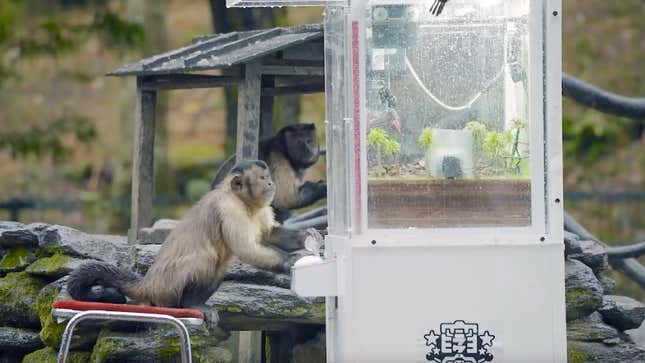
187,81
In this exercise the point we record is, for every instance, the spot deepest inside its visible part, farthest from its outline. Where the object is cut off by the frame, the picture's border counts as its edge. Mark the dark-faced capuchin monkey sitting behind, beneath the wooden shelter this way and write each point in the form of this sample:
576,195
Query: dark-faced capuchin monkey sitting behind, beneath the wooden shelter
289,154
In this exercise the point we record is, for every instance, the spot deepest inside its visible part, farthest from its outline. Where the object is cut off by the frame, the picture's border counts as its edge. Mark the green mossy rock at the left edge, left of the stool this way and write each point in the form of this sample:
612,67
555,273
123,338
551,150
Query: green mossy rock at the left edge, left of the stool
18,294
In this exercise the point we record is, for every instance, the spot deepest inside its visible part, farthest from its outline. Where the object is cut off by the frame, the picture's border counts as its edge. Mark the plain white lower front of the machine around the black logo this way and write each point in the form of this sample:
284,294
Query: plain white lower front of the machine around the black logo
399,295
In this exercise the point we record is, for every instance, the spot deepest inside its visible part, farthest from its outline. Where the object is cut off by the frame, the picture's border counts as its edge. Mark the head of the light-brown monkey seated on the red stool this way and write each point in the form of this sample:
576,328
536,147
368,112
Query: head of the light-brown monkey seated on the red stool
254,185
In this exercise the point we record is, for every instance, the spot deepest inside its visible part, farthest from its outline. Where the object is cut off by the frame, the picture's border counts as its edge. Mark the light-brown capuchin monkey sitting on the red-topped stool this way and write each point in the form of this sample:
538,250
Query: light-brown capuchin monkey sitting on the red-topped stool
234,219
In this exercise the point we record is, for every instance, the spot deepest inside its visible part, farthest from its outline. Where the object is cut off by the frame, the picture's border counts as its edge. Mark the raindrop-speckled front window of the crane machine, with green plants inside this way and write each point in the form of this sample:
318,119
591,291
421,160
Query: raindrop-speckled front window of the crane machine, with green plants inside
447,114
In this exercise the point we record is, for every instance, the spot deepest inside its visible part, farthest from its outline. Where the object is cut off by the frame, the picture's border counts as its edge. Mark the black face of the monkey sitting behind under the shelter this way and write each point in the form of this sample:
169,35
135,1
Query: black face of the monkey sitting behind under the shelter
302,145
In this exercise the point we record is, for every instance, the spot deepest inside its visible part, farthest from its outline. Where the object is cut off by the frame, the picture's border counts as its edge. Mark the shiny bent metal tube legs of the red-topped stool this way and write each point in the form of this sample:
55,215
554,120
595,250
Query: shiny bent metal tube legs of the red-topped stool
184,337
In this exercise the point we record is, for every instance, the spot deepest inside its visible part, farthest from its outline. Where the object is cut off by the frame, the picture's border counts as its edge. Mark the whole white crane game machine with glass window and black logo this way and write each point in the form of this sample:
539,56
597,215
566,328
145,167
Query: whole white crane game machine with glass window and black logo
444,171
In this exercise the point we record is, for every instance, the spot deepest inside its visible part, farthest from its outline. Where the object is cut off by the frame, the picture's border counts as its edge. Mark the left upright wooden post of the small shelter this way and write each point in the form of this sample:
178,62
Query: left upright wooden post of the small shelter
142,161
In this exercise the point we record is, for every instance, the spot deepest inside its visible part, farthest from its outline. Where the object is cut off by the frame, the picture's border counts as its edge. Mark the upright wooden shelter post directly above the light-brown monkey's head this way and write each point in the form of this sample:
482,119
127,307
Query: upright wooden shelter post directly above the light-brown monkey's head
248,113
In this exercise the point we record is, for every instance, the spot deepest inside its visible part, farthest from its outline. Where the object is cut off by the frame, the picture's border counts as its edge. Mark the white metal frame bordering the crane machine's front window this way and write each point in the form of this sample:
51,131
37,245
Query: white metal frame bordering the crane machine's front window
545,212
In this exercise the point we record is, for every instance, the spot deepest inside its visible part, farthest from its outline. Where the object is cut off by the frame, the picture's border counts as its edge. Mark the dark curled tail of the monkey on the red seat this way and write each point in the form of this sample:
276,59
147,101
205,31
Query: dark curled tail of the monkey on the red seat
102,282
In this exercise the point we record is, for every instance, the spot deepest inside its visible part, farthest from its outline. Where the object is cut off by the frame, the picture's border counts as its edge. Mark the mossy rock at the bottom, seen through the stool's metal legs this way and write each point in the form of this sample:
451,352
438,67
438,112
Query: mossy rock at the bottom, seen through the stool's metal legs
154,345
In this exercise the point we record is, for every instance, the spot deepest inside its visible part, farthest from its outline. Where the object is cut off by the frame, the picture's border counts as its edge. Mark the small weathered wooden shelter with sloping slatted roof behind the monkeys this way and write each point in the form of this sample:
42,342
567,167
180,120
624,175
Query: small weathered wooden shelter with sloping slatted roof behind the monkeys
261,63
